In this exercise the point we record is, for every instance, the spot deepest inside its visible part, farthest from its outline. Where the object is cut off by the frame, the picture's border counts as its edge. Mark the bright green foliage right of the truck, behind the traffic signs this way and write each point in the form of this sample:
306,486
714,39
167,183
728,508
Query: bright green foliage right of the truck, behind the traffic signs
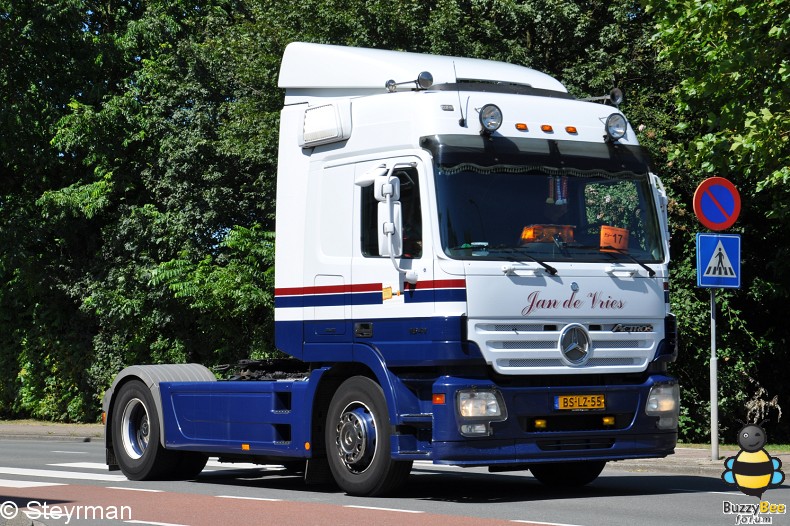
731,103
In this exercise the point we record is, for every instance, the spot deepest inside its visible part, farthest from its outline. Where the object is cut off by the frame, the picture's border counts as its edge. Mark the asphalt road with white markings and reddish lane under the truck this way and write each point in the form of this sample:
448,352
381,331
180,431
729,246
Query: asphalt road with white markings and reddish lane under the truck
69,477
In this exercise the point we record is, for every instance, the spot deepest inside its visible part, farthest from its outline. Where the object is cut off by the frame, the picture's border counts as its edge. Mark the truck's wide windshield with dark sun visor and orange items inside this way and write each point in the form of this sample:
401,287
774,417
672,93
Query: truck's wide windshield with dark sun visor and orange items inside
544,200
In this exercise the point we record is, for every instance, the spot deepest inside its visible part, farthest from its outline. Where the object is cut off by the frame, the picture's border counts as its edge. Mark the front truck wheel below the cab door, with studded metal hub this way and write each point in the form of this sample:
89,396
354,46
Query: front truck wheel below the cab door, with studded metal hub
358,440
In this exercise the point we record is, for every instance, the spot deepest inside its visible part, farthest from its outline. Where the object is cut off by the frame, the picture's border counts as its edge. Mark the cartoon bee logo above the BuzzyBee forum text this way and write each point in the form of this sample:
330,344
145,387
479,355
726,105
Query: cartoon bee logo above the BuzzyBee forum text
753,470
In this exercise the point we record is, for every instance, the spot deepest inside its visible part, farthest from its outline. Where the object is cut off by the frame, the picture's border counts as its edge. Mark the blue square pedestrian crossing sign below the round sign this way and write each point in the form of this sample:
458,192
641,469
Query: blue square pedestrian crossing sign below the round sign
719,260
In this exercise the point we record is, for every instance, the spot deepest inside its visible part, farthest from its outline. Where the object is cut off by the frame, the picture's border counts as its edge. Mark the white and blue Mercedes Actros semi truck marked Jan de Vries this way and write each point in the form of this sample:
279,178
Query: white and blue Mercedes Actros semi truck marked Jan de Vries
472,269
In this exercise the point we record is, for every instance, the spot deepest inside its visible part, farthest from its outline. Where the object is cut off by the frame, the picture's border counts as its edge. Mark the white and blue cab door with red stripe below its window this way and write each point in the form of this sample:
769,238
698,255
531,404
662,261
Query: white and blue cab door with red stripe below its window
391,307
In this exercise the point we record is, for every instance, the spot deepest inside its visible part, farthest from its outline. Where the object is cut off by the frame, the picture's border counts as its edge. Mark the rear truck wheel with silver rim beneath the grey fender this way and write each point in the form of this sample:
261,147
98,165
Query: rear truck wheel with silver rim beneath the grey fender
135,436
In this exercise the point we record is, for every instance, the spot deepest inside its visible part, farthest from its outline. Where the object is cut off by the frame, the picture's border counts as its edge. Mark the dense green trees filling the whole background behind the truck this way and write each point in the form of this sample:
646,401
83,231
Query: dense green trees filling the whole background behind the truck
139,141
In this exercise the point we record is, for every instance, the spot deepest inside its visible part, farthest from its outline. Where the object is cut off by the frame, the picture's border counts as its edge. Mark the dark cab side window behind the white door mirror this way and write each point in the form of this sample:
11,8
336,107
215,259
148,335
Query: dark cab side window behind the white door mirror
411,212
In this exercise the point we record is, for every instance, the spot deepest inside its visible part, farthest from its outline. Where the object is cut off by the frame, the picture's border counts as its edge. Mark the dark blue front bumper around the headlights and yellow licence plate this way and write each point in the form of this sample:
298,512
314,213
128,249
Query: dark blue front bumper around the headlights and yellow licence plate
567,435
